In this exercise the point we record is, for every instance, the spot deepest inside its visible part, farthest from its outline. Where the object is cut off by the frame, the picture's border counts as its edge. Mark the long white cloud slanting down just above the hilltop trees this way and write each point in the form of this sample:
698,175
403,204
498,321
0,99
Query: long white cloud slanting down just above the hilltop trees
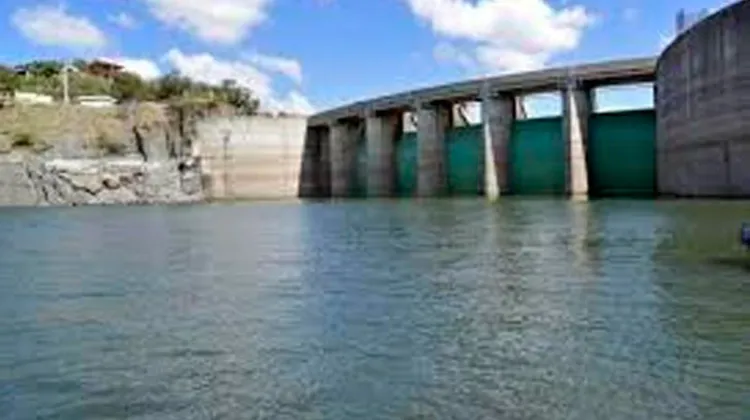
208,69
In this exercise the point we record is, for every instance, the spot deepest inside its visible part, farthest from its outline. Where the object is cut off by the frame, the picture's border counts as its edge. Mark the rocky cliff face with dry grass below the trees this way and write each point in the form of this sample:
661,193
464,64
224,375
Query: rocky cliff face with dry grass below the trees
90,156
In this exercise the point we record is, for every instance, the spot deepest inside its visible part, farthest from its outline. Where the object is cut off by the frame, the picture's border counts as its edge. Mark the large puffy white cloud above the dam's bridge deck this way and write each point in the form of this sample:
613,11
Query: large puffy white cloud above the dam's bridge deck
506,35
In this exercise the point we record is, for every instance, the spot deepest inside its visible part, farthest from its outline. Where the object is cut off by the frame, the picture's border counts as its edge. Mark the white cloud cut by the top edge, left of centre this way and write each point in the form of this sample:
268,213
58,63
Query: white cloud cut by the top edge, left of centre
222,21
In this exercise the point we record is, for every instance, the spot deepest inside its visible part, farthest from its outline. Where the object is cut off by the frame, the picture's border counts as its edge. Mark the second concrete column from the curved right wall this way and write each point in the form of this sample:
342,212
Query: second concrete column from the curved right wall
498,113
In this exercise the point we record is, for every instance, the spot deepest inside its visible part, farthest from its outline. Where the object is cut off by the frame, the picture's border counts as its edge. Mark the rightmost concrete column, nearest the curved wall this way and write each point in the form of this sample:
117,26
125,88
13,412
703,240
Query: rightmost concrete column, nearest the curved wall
576,111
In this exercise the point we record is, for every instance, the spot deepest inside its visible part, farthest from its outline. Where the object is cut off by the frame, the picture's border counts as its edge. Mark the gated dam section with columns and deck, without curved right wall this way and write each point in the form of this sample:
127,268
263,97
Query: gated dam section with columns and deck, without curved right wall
362,149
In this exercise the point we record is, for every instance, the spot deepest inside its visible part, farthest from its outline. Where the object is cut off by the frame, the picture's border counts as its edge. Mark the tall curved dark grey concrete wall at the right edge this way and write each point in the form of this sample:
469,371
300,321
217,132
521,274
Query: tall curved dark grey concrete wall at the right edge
703,108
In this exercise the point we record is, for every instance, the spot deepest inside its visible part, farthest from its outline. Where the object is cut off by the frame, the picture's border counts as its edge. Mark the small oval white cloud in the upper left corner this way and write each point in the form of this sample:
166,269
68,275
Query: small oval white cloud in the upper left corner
53,26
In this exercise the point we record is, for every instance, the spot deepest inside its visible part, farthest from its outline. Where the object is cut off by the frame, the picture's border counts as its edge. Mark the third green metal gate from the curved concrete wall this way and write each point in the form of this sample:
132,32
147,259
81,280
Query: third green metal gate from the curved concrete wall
464,146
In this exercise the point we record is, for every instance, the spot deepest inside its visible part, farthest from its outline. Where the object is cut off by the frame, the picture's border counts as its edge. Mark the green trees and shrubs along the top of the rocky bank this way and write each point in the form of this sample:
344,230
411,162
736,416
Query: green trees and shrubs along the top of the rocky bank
45,77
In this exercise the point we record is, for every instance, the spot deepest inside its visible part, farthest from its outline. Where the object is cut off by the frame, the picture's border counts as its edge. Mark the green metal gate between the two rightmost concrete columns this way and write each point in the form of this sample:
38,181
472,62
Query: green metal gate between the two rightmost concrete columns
537,157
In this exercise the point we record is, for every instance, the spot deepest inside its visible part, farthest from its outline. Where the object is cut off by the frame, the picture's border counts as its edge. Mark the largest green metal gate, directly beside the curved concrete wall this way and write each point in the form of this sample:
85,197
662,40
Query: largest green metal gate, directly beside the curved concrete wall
622,154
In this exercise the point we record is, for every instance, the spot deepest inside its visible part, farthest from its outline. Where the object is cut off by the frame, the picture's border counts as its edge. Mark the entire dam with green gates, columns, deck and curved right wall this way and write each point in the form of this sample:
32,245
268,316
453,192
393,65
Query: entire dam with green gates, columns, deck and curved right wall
692,143
